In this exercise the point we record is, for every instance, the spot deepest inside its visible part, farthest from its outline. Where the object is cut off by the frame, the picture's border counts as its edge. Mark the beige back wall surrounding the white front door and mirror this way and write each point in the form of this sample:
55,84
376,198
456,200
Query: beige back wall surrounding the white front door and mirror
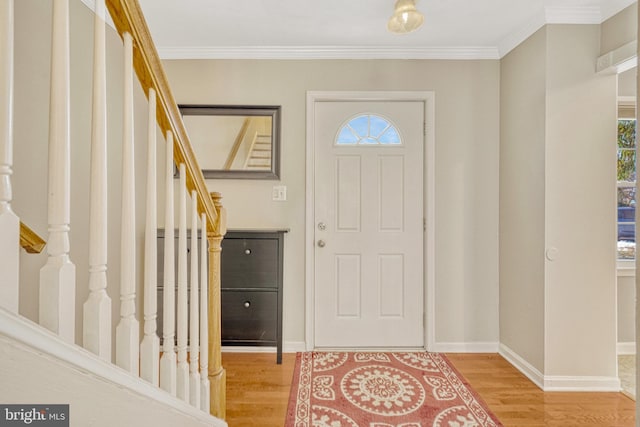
466,169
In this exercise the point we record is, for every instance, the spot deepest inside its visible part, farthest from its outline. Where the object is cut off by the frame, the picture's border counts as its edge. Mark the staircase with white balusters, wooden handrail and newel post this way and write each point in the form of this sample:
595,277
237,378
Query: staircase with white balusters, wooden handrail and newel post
90,136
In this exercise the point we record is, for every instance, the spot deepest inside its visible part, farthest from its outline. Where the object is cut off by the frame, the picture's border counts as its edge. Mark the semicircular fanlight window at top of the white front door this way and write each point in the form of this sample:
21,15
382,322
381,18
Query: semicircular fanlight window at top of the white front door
368,129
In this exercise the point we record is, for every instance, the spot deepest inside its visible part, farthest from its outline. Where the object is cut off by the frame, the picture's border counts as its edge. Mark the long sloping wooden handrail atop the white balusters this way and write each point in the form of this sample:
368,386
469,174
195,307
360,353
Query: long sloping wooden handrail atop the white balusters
128,18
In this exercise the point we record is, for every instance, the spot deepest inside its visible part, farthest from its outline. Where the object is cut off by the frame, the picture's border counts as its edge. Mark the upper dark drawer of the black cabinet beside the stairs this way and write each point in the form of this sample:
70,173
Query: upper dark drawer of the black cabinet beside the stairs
249,263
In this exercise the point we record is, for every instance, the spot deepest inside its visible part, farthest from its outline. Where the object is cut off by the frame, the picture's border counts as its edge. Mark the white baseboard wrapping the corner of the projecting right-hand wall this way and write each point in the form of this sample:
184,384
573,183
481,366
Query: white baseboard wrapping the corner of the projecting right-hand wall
559,382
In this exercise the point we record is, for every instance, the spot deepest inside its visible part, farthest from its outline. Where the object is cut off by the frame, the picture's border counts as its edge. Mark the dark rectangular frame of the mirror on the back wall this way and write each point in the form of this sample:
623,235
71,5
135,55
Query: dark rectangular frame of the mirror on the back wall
273,111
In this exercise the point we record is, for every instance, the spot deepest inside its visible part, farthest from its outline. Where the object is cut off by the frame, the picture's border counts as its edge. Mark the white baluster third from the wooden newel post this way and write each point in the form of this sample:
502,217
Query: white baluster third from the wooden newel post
183,366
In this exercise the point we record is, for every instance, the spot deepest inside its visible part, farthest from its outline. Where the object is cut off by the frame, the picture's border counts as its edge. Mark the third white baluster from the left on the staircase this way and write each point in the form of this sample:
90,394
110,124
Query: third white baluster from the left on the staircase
96,325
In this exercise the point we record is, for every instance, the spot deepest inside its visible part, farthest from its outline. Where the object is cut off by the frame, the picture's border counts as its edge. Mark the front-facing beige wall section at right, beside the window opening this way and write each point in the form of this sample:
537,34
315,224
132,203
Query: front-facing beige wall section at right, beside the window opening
579,210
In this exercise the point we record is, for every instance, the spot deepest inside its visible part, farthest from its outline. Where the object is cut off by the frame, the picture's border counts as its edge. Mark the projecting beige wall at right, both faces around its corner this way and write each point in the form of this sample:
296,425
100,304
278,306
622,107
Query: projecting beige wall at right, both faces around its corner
549,83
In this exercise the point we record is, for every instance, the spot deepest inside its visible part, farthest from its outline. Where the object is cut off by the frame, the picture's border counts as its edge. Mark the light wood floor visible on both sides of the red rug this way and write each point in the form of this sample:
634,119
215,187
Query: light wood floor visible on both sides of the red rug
258,393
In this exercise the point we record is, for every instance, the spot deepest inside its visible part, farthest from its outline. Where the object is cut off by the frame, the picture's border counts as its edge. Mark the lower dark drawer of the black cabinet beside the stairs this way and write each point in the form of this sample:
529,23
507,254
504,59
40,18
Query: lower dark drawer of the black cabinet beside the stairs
249,316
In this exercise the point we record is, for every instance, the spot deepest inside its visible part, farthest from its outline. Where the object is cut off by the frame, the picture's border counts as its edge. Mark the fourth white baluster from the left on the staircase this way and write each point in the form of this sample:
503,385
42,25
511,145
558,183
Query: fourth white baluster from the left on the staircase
127,331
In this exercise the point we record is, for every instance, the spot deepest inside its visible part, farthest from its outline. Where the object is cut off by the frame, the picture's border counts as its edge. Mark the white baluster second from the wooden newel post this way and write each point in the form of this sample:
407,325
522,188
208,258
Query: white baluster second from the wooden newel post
194,319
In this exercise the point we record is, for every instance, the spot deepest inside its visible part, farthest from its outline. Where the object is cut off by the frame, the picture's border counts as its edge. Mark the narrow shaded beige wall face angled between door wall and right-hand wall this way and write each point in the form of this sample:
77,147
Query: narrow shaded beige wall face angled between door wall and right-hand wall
522,203
